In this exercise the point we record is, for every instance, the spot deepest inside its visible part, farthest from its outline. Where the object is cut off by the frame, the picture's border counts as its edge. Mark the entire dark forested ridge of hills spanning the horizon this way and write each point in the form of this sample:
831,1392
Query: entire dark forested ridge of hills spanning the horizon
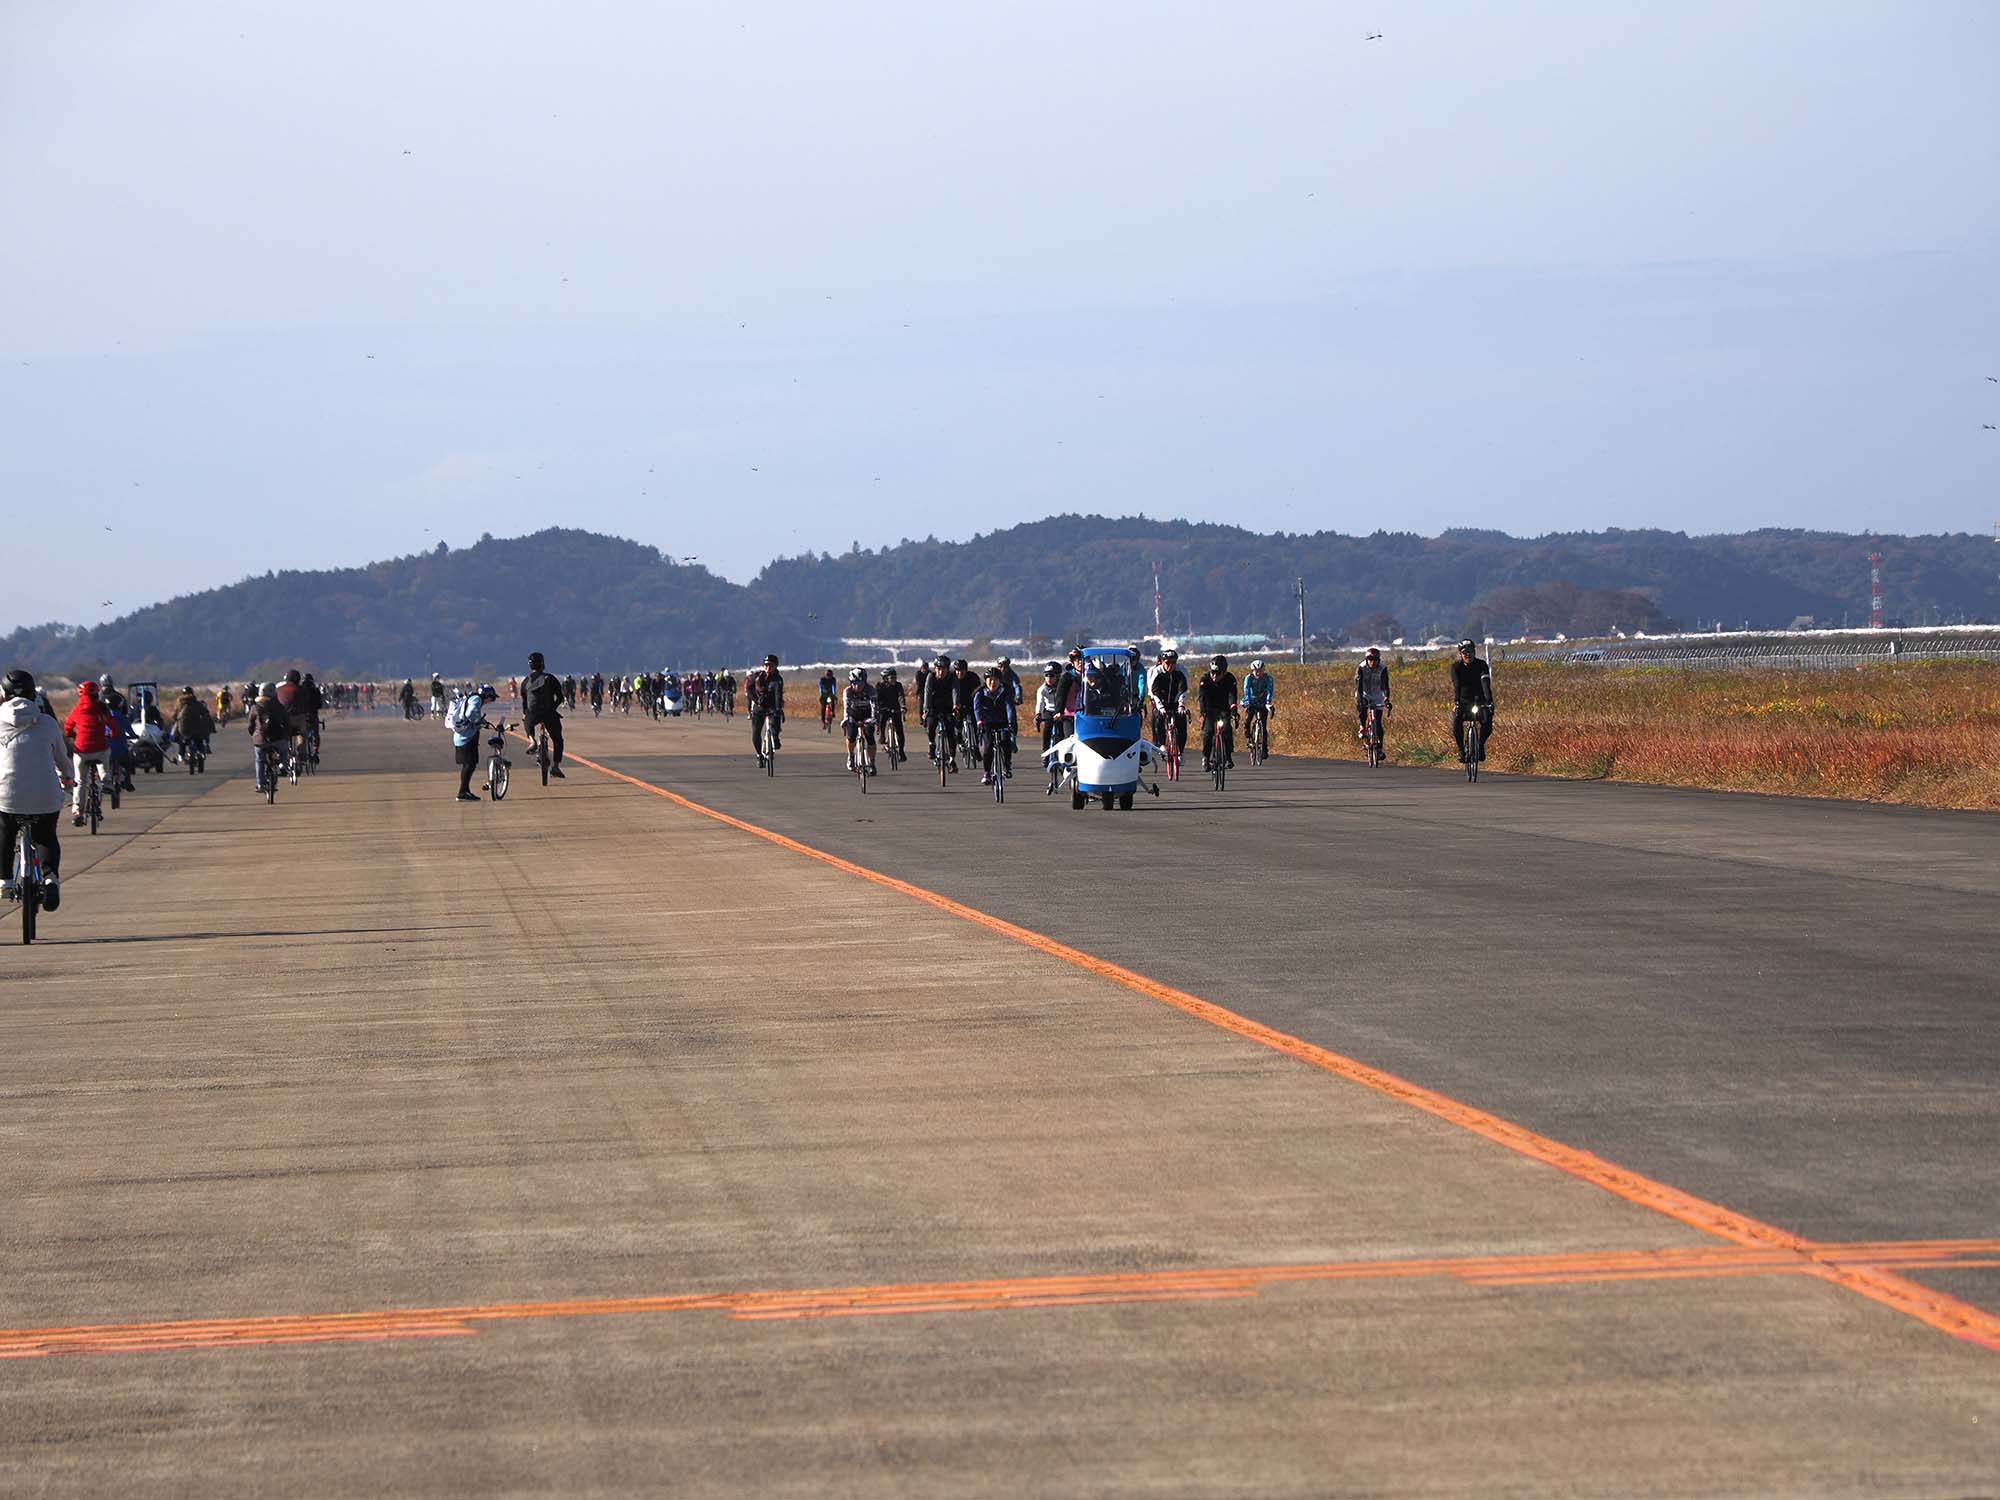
607,603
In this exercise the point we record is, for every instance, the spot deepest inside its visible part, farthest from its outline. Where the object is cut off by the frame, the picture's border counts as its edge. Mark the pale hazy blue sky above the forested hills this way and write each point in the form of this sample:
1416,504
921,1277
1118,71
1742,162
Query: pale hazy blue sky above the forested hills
313,285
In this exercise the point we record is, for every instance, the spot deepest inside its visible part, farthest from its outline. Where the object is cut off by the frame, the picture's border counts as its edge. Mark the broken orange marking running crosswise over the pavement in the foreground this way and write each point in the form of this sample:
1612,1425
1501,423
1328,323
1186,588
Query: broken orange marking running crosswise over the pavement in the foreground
1013,1293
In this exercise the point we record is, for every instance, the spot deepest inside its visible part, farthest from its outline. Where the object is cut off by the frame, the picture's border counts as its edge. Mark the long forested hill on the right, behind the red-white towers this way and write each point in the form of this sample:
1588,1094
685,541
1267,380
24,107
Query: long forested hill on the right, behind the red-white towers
1093,573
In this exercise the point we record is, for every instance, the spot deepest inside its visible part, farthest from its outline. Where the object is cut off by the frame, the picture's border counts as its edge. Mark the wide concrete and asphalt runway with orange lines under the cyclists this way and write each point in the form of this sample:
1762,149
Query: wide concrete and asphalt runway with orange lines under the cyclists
585,1143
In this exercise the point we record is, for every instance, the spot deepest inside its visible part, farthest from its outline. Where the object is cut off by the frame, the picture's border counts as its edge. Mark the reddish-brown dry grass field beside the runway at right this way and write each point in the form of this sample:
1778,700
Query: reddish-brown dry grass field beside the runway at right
1925,733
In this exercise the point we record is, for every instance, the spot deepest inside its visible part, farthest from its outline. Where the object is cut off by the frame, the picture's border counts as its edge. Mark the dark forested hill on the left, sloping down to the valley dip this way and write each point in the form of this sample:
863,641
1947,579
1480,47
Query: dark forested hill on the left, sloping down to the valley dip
583,599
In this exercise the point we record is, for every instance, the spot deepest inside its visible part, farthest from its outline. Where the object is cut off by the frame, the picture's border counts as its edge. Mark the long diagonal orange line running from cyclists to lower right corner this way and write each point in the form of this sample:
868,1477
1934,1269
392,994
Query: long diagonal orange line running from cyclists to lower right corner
1937,1309
